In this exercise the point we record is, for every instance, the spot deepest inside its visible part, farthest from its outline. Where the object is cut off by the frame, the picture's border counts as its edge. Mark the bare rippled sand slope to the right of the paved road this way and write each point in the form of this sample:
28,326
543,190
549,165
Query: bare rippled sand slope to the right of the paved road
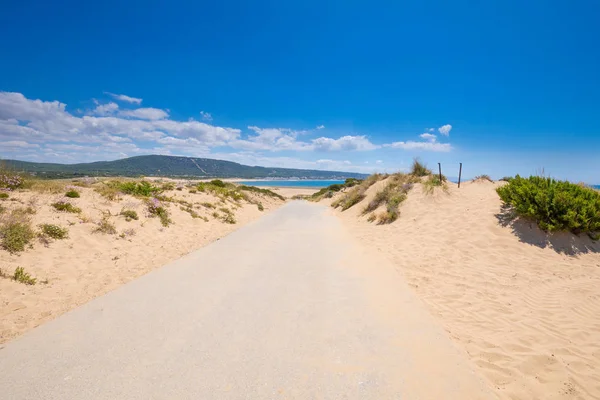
526,314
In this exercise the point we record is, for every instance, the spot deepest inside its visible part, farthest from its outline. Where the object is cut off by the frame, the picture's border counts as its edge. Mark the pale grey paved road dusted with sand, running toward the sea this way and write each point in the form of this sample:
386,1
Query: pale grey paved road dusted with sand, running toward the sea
289,307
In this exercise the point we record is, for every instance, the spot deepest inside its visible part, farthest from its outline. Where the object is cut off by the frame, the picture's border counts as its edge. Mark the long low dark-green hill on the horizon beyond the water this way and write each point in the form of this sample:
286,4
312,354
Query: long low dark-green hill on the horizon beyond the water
170,166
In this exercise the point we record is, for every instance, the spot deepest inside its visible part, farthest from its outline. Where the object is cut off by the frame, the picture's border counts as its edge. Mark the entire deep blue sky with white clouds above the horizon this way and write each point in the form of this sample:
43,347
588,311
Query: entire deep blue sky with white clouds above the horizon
315,84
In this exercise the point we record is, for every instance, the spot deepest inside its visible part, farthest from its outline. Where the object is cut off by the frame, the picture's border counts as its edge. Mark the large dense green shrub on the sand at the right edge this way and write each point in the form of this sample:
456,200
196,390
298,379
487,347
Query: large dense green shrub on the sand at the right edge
554,205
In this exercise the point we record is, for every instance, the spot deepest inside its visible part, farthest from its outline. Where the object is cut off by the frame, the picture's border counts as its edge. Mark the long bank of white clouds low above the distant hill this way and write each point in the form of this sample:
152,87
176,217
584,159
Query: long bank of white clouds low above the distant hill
39,130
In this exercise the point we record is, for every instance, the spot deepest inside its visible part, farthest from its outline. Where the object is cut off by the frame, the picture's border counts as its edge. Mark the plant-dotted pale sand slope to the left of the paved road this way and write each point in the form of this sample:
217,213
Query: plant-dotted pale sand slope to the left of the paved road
88,264
